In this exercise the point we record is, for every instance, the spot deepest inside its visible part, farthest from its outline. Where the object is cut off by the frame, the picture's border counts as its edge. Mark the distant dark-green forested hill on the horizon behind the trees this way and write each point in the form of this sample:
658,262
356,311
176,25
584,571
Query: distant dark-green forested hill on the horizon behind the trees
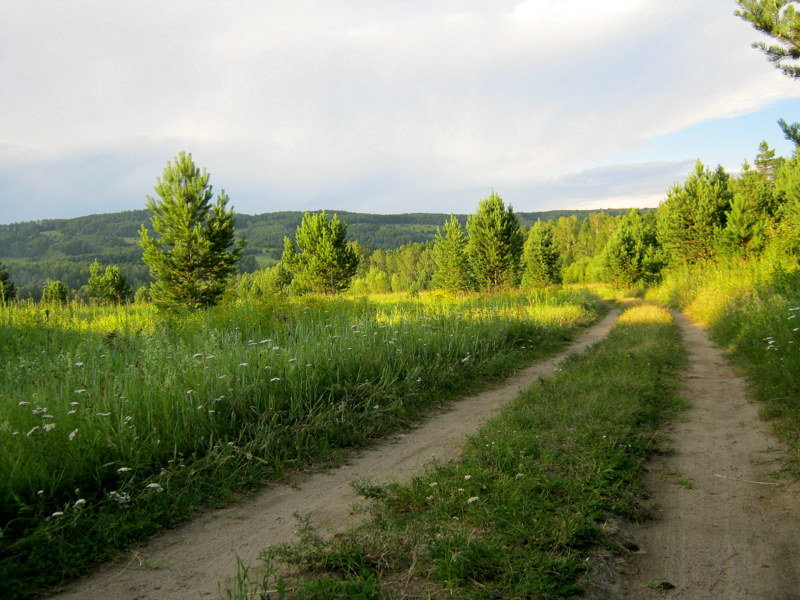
64,248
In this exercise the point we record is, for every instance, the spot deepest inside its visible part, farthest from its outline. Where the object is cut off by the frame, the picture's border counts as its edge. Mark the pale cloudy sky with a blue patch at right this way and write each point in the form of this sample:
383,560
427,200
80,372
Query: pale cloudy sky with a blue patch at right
387,107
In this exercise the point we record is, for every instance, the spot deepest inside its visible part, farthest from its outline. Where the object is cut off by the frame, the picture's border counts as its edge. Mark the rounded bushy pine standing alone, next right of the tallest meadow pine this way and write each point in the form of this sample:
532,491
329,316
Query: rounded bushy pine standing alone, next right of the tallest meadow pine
321,258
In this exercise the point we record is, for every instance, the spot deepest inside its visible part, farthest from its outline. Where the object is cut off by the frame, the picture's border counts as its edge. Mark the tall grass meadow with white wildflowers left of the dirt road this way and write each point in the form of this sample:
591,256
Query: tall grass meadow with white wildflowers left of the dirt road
116,422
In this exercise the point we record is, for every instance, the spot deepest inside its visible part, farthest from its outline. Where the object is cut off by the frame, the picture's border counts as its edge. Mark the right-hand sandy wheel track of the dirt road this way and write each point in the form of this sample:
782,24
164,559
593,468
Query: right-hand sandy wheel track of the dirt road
724,527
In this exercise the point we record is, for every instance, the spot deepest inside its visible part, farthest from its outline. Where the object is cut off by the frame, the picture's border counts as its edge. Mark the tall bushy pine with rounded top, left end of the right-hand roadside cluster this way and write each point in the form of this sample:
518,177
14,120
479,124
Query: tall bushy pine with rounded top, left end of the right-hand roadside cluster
693,215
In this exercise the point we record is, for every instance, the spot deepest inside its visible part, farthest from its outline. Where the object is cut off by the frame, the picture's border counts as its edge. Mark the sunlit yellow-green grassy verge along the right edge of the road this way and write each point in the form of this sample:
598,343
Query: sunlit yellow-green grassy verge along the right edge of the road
753,310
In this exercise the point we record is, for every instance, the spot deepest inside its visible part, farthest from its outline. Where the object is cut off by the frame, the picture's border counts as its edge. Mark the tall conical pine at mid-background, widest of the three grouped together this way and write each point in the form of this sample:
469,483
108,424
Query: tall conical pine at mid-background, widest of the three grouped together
495,244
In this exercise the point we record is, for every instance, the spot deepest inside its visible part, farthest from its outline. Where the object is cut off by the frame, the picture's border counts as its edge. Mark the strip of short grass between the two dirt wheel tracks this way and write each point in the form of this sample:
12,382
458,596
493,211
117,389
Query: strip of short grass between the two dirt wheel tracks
520,514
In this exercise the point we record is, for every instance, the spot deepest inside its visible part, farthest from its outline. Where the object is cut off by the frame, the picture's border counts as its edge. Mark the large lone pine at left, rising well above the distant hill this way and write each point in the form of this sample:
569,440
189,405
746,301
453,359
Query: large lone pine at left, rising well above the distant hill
195,254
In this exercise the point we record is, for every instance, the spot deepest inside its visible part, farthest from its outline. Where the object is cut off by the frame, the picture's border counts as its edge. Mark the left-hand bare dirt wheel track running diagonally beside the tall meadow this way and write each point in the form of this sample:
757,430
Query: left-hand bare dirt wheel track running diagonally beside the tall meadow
187,563
